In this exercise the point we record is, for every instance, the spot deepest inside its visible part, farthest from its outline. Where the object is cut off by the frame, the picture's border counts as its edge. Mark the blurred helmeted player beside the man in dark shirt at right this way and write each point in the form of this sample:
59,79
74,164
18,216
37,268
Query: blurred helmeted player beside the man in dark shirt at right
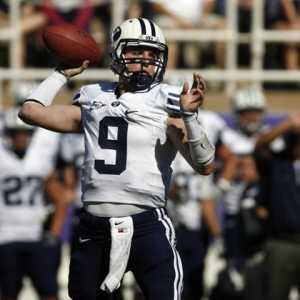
248,111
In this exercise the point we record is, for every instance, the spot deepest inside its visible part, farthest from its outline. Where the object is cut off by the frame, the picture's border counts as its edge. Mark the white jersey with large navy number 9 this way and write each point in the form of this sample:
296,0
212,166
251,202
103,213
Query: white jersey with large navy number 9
127,152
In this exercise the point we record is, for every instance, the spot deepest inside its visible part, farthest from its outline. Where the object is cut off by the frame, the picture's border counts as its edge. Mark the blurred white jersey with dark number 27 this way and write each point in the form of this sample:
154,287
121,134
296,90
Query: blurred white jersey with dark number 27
22,206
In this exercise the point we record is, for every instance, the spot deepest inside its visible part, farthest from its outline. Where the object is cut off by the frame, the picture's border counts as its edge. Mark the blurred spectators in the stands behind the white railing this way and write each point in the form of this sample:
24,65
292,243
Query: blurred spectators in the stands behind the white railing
96,17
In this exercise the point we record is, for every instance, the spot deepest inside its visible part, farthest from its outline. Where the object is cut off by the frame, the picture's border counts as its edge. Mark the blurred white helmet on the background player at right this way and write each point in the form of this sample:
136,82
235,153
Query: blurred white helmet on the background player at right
247,99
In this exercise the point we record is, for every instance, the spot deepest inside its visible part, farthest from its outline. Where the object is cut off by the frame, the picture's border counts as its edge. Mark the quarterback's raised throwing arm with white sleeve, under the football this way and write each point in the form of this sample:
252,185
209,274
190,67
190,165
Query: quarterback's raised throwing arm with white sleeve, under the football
38,111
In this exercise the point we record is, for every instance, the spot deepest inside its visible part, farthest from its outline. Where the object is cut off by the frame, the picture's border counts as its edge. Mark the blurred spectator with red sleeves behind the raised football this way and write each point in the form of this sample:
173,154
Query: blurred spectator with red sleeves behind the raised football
34,18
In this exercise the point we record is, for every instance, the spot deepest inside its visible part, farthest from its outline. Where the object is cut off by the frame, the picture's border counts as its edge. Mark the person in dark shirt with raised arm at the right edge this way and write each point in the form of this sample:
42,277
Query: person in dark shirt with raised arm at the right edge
281,196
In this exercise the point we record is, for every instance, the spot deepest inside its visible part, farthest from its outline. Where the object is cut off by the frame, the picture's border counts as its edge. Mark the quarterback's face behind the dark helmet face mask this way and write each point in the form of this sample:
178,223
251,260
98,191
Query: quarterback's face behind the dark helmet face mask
146,54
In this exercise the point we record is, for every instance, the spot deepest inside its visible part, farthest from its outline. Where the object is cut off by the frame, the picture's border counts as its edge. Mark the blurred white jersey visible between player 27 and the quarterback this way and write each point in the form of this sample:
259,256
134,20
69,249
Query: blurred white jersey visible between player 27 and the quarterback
72,152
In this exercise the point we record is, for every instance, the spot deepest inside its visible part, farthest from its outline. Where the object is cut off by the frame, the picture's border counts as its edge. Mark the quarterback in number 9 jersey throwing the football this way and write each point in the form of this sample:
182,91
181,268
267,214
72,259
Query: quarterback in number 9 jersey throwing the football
133,129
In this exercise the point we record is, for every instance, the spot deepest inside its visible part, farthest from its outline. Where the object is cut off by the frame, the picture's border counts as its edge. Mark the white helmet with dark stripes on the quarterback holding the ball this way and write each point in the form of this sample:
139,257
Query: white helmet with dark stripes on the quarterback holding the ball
138,32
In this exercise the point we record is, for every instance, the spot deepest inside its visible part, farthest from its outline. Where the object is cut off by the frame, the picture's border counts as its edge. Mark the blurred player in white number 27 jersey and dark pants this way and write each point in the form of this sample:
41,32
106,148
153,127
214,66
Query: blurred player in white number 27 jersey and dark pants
28,157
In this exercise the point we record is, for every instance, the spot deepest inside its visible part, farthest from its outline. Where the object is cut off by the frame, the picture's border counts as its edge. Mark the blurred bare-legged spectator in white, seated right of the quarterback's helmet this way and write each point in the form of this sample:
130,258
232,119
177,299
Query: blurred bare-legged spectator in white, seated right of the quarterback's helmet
194,14
